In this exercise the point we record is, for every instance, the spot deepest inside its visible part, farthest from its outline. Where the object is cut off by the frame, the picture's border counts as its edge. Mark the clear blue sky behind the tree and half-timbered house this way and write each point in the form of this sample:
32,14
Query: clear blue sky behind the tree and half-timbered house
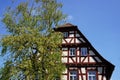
98,20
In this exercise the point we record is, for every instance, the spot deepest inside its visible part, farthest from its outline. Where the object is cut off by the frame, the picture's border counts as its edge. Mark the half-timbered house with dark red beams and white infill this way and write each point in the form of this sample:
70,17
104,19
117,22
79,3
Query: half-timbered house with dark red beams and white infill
81,59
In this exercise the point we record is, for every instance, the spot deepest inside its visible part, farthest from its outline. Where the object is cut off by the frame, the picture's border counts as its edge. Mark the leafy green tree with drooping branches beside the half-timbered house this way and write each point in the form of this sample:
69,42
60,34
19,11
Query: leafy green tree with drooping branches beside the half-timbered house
33,46
